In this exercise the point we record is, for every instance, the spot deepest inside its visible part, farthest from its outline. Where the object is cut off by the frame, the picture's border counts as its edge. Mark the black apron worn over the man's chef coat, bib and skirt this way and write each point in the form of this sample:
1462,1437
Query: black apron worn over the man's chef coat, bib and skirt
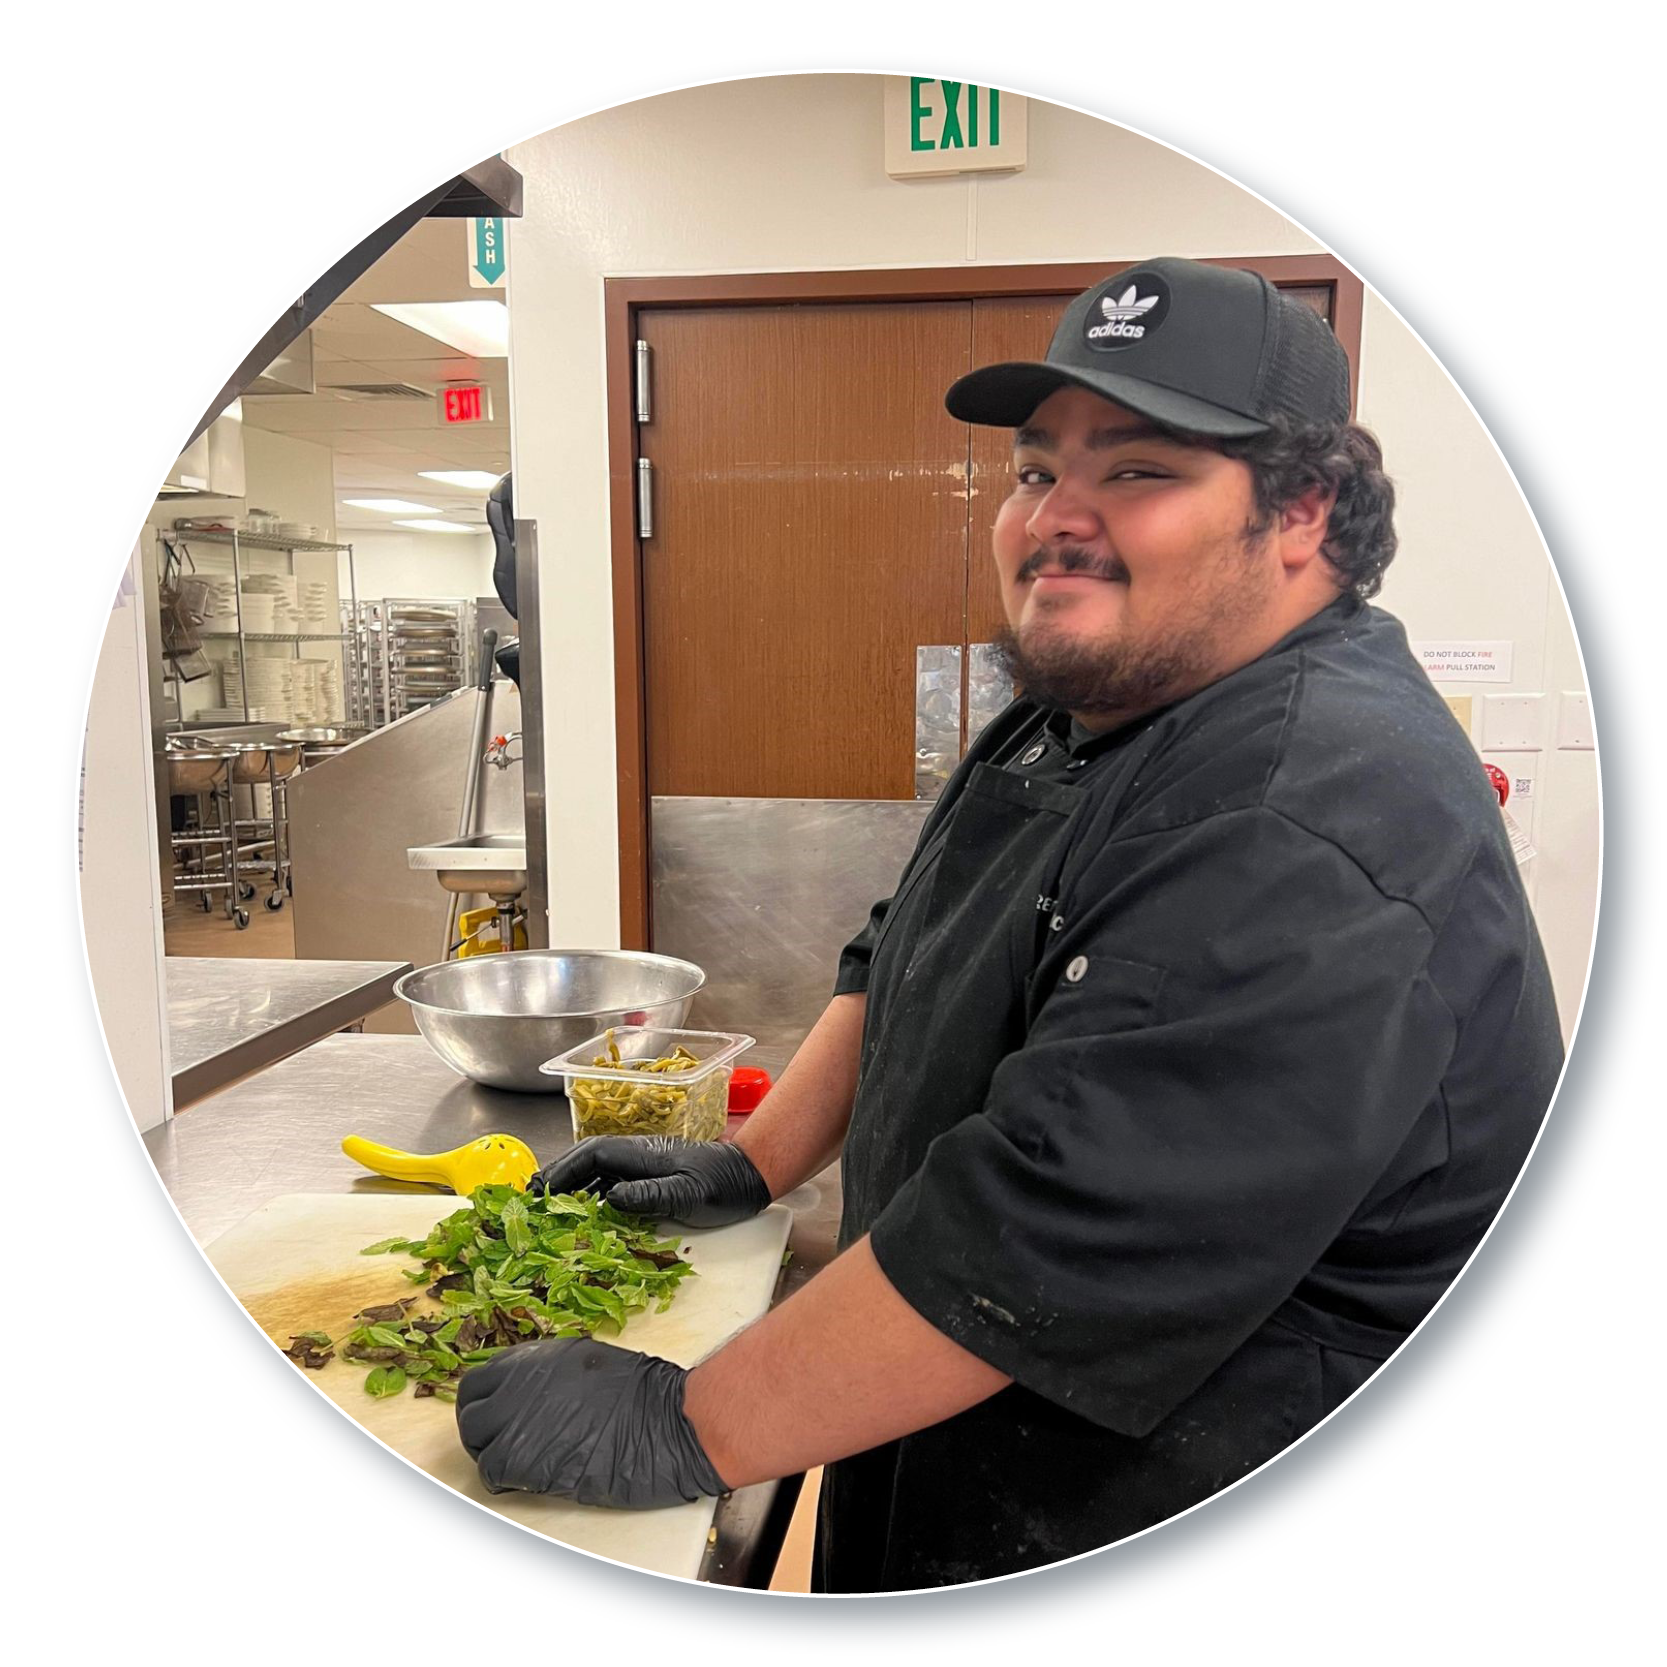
1018,1483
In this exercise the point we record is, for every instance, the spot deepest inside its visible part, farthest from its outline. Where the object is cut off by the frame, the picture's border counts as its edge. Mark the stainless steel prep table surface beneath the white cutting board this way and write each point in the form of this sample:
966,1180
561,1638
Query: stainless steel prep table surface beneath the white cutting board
283,1133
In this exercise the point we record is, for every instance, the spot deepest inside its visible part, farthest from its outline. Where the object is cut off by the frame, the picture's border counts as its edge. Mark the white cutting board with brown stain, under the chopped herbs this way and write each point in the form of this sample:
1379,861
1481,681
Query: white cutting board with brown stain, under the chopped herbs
296,1266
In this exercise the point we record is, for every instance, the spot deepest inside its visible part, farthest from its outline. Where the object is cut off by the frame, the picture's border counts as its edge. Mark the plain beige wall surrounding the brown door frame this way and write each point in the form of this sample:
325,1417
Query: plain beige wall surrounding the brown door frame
786,174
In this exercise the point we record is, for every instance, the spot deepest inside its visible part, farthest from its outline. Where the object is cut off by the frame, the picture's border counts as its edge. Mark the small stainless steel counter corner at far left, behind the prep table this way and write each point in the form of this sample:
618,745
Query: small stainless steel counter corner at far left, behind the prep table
229,1018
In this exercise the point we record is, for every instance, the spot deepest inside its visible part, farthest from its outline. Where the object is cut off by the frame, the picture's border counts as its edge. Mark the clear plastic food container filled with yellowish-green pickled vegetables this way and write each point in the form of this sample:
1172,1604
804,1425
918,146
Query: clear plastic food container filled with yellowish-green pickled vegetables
663,1083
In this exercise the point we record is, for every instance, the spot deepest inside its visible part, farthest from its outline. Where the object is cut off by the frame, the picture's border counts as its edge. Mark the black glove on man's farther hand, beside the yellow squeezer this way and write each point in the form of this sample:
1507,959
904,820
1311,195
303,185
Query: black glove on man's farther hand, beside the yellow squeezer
696,1183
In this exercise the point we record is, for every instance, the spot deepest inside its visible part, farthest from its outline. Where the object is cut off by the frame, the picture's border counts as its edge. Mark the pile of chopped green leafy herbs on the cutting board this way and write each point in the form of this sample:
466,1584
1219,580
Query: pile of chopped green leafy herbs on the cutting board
506,1271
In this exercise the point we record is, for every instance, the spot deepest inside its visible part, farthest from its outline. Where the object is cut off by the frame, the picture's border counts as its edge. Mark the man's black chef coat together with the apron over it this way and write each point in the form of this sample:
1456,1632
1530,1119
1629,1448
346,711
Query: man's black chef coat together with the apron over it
1198,1059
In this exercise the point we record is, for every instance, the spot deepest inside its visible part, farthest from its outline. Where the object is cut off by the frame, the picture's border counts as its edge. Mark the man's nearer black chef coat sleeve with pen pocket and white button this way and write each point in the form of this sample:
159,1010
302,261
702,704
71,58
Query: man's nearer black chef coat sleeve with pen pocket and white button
1231,1034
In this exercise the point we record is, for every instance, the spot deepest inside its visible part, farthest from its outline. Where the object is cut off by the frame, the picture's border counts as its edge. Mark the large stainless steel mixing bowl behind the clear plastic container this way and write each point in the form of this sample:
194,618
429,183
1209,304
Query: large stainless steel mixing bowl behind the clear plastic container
499,1018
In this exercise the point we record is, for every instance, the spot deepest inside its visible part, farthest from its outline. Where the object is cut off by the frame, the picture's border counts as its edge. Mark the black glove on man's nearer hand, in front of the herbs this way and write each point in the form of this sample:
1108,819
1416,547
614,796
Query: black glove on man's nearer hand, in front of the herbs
588,1423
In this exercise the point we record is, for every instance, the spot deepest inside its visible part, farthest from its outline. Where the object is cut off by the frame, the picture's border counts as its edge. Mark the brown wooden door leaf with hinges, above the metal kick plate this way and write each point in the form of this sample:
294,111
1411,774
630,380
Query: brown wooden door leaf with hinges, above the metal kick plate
811,531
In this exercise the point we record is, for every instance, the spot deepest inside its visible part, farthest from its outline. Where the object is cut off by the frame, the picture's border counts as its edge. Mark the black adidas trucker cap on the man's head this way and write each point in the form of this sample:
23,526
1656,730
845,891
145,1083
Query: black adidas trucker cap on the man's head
1208,349
